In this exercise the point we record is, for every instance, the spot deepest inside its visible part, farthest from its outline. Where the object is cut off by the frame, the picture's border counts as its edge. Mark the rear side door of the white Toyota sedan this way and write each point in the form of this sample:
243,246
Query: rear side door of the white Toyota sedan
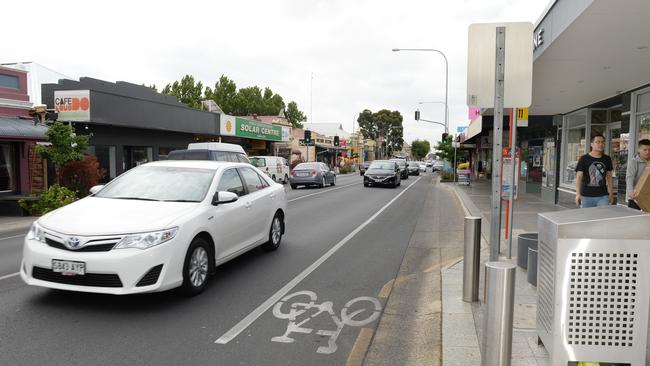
258,202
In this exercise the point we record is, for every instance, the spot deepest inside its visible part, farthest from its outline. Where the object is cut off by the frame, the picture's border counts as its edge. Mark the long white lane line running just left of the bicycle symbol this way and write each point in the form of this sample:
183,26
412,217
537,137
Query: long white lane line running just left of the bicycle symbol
250,318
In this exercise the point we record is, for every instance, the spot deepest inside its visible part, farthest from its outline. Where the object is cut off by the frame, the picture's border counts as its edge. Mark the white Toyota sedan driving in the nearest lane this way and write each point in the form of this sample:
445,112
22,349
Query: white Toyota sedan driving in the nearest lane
158,226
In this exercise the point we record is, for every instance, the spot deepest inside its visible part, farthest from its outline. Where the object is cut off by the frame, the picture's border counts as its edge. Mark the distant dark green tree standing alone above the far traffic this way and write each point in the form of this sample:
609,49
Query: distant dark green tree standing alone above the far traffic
386,124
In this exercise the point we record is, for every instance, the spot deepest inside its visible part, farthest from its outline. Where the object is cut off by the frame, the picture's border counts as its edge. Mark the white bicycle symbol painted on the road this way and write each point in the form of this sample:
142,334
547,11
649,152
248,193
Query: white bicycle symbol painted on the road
301,307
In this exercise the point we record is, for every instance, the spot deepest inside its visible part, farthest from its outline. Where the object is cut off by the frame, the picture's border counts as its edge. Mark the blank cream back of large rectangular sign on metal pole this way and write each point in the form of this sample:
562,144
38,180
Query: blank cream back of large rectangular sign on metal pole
481,61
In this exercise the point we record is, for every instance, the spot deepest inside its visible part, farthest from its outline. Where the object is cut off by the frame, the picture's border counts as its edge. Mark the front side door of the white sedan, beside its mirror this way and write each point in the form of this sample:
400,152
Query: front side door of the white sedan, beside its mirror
230,218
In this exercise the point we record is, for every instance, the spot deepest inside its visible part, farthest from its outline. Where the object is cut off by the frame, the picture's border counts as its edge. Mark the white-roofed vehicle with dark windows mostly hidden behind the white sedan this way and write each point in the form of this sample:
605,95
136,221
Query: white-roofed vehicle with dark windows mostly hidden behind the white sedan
218,151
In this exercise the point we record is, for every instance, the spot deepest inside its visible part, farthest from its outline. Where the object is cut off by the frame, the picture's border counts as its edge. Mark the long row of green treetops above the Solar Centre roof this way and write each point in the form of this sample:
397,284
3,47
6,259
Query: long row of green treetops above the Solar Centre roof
243,102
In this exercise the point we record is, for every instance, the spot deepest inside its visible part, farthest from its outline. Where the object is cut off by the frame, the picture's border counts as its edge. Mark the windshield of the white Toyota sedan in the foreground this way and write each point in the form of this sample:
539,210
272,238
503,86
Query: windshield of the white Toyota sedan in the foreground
156,183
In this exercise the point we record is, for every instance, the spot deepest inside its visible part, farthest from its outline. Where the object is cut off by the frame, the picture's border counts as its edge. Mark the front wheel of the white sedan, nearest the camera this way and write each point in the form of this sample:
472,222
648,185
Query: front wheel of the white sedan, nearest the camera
197,267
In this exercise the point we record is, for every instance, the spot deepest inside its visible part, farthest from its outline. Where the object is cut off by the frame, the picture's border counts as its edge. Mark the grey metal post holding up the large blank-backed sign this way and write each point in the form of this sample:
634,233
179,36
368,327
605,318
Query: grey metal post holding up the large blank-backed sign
495,217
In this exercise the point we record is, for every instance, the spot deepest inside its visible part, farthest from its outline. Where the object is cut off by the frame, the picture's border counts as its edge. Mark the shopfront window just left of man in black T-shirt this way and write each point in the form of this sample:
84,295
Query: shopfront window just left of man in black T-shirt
575,146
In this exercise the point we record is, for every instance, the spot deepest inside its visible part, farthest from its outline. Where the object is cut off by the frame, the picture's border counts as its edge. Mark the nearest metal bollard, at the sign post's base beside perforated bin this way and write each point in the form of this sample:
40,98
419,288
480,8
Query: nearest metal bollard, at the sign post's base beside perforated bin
497,332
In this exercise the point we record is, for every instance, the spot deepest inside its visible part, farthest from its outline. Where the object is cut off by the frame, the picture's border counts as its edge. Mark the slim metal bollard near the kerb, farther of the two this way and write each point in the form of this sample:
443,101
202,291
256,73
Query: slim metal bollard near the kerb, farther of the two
472,256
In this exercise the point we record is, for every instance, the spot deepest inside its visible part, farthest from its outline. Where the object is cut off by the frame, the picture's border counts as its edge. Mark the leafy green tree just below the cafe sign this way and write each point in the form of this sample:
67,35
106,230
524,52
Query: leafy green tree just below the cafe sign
65,145
